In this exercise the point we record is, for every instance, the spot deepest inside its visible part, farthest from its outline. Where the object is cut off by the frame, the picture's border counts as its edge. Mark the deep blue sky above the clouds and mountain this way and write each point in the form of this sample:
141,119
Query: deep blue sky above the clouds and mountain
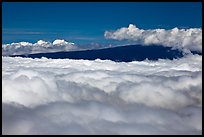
84,23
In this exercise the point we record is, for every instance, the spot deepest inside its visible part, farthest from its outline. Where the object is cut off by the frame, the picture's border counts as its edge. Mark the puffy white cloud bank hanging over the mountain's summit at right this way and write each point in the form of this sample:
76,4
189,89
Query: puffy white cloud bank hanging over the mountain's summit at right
184,39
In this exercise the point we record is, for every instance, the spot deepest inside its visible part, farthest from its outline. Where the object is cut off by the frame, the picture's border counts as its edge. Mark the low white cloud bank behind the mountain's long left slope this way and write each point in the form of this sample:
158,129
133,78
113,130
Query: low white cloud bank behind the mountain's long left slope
39,47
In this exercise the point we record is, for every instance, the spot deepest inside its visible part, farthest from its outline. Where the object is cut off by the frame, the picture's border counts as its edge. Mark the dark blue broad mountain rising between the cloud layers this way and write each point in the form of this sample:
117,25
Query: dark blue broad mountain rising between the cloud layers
123,53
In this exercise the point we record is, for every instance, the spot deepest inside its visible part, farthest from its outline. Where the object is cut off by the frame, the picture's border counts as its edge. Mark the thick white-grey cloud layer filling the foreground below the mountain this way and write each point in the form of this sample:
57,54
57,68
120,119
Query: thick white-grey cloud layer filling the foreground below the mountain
64,96
